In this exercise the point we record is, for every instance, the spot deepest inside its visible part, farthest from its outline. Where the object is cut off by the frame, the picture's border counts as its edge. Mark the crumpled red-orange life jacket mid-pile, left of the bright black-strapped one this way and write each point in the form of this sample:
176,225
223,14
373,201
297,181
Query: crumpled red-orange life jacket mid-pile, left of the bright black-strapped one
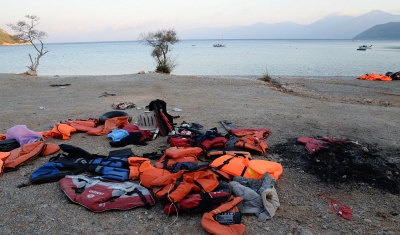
181,154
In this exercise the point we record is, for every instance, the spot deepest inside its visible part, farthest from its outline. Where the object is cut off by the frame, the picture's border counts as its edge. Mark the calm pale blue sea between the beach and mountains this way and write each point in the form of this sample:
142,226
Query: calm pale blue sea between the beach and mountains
199,57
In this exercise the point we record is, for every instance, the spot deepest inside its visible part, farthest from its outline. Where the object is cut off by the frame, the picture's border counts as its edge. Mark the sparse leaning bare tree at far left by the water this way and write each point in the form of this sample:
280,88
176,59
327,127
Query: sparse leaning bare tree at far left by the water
26,31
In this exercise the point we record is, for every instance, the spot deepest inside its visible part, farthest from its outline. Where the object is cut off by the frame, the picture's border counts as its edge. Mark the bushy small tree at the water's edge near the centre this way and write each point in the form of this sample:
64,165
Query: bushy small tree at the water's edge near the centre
161,41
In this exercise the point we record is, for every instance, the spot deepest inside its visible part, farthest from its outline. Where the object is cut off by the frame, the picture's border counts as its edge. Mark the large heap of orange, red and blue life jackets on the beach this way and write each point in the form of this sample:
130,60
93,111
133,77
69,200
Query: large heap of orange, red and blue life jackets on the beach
174,177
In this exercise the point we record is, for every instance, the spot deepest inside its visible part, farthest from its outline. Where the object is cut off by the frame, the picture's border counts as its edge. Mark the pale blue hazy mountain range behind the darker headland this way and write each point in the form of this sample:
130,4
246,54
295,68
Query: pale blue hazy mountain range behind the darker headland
331,27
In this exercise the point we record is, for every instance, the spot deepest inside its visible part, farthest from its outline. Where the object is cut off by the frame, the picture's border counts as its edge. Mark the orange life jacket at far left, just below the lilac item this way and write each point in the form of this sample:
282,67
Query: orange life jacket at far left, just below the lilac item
27,152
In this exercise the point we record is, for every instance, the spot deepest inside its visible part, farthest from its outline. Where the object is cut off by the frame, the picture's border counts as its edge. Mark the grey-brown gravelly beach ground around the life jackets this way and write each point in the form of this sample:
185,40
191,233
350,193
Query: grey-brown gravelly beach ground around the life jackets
341,107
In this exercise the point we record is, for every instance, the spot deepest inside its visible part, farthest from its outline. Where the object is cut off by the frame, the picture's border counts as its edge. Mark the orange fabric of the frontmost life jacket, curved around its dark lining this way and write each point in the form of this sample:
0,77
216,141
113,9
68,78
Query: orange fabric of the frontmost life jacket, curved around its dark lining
213,227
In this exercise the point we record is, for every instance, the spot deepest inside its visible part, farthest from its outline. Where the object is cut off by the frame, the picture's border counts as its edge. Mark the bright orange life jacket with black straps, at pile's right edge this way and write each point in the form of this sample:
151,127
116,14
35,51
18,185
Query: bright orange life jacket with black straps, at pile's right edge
242,166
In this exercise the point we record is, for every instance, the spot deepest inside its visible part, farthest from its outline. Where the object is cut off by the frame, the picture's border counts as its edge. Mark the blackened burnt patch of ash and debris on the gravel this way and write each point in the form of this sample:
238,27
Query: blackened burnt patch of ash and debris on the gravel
348,162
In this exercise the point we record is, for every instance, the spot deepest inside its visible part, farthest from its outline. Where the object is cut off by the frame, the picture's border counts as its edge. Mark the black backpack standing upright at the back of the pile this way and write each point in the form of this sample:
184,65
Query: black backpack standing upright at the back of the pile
164,121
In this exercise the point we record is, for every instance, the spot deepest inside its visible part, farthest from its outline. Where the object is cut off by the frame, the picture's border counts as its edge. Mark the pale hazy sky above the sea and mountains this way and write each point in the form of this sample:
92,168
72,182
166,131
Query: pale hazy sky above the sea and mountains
113,20
